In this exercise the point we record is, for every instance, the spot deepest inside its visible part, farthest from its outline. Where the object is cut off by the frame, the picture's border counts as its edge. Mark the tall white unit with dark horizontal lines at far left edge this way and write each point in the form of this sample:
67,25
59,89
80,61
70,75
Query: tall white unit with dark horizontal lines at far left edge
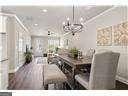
3,54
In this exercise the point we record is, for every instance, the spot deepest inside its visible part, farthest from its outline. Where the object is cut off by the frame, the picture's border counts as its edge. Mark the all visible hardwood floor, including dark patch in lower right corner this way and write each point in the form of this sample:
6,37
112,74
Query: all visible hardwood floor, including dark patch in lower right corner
29,77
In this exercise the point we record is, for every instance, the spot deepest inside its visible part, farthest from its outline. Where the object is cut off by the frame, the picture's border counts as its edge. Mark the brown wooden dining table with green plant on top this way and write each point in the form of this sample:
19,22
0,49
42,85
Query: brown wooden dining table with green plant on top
70,66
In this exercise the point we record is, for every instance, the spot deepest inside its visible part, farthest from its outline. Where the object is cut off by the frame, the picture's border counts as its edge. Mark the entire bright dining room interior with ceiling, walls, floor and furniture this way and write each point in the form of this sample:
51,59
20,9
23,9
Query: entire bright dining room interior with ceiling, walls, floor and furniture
74,48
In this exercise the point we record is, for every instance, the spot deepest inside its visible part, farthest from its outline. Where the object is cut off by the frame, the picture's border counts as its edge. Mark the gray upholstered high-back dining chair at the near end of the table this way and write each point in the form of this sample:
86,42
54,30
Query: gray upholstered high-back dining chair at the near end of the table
103,72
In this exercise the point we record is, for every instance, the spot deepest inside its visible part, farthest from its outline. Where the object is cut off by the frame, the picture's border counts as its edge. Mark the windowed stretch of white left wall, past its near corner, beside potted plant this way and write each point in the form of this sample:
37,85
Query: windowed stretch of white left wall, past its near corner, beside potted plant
20,34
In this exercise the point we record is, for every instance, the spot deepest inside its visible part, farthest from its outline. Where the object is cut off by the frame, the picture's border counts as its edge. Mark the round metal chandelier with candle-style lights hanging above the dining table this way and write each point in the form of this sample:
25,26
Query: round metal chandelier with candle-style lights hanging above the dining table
72,26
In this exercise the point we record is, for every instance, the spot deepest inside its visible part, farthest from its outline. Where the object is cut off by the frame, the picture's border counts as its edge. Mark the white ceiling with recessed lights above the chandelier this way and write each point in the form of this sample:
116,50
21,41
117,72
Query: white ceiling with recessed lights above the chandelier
54,17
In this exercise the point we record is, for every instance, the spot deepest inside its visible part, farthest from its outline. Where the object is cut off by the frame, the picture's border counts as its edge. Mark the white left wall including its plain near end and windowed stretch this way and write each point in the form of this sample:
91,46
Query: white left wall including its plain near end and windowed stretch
16,31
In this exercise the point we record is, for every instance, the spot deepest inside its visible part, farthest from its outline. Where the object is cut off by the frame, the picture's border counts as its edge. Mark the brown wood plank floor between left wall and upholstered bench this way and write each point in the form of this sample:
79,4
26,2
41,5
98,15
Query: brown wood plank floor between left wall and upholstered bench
28,77
